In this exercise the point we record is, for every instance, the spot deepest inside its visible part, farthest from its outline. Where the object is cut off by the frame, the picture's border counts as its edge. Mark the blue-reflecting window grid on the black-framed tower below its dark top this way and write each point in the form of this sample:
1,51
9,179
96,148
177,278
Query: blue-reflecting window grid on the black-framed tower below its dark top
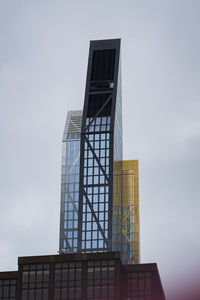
96,185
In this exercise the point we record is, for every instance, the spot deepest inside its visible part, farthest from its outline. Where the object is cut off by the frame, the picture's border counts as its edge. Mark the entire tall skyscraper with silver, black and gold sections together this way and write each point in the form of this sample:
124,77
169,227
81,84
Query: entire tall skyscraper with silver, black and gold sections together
99,213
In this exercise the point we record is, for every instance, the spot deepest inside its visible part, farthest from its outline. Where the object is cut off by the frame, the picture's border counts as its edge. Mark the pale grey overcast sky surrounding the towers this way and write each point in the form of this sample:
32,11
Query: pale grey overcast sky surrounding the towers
43,61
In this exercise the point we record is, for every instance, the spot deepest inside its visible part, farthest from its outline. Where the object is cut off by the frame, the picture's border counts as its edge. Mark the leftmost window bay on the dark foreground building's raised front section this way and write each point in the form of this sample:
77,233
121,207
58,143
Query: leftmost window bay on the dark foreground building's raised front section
35,282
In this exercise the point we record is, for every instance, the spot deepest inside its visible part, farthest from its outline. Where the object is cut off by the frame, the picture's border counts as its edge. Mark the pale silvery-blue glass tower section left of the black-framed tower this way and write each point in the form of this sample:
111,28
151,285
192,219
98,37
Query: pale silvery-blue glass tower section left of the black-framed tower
70,183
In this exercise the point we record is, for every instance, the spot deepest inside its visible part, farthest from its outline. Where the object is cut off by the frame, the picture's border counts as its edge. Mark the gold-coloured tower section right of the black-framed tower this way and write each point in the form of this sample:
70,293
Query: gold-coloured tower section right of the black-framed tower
126,210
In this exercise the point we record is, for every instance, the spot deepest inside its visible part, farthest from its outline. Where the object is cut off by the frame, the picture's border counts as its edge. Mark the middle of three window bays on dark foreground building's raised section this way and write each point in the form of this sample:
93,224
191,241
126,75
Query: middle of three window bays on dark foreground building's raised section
68,279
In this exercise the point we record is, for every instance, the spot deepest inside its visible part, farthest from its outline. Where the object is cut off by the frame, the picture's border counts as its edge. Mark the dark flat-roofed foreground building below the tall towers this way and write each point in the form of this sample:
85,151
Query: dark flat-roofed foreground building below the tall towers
81,277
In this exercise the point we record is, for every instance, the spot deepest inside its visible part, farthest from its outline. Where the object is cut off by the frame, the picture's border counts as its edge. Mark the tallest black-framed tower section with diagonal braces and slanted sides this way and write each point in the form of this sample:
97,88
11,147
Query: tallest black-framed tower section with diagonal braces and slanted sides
100,139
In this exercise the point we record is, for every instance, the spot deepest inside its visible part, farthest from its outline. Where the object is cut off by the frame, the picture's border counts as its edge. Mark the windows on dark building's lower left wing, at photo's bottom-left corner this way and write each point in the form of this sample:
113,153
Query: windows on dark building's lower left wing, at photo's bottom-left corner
7,289
